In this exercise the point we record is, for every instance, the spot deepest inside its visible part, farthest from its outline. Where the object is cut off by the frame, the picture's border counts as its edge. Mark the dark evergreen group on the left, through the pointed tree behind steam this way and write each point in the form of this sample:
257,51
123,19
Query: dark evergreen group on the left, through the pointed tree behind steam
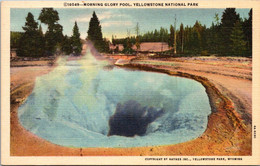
34,43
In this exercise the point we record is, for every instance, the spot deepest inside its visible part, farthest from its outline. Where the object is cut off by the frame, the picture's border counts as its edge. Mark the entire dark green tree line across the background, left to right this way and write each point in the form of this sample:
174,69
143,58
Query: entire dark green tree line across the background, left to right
228,36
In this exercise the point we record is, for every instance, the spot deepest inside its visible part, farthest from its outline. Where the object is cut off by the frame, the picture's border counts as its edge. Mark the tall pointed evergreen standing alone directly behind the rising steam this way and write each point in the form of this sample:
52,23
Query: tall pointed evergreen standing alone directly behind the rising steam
95,32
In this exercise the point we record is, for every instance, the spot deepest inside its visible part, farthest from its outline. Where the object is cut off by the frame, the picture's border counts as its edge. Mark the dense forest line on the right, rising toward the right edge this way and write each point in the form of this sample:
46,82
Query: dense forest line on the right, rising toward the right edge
228,36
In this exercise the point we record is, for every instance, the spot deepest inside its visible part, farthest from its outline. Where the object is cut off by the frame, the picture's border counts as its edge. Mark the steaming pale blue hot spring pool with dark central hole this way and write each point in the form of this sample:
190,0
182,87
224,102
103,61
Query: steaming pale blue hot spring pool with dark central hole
79,104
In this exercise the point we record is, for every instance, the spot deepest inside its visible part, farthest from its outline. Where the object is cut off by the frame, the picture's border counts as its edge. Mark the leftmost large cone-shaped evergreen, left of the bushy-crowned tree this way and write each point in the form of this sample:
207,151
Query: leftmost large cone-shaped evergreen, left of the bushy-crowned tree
29,45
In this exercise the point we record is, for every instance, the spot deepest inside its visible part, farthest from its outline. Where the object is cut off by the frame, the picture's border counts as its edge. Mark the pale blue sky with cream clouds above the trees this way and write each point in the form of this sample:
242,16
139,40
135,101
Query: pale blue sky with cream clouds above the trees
118,21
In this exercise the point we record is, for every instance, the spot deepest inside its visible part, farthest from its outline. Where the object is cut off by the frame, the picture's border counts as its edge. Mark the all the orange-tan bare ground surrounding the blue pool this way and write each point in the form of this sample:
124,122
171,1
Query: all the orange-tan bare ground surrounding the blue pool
228,82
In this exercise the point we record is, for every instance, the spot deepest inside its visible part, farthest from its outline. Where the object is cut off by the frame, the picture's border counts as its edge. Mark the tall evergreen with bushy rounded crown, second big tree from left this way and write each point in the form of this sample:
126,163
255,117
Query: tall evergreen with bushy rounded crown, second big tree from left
54,35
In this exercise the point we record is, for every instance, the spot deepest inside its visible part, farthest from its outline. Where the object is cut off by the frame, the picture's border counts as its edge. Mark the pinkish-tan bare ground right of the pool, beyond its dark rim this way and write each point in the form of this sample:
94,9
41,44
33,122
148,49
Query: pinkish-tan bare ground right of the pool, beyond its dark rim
233,77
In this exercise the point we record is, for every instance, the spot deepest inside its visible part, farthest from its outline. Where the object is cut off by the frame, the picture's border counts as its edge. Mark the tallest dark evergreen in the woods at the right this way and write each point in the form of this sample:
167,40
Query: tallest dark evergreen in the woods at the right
229,18
